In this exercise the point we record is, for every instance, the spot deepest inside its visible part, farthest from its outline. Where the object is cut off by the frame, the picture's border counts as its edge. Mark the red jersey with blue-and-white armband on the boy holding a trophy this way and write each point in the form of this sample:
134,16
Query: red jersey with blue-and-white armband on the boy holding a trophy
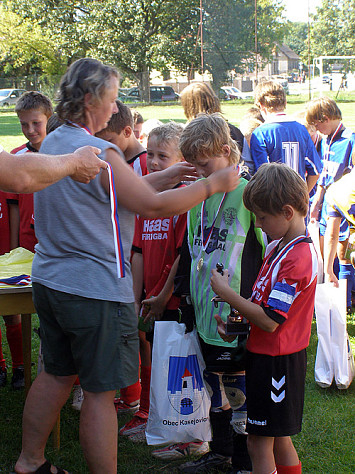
286,286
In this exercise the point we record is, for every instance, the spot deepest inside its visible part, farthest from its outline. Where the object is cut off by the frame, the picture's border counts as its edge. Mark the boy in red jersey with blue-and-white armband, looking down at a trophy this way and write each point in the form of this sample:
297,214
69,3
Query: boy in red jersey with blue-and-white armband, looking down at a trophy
280,314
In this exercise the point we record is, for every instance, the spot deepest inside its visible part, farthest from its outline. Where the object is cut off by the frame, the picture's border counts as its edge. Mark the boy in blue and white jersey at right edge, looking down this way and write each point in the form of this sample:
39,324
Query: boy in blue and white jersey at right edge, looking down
336,150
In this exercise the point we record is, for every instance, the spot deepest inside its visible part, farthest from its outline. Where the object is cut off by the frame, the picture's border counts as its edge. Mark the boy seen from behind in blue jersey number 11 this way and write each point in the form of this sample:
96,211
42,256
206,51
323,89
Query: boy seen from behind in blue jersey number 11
281,139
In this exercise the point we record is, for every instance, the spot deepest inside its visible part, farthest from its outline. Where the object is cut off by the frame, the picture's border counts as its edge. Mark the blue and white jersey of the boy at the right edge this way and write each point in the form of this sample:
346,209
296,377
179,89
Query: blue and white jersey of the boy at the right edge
336,153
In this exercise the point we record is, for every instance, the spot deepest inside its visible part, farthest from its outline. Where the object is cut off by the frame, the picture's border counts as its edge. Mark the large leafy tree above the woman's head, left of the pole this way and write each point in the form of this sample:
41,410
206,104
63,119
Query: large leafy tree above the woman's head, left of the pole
138,36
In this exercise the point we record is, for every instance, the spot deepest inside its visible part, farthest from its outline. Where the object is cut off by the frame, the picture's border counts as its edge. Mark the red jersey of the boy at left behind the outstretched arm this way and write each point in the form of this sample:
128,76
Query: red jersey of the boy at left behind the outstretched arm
27,237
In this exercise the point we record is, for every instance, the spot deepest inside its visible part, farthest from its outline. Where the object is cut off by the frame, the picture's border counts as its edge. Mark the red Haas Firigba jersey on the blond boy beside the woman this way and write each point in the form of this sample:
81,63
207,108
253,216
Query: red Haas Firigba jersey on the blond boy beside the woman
159,241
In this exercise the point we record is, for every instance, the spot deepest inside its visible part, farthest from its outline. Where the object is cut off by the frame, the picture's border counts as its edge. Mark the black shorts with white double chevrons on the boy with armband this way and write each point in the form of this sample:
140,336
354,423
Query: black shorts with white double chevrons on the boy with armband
275,393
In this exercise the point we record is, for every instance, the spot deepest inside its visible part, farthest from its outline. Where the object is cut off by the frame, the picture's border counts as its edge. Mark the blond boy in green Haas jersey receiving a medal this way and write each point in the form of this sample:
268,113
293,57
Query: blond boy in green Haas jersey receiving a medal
220,230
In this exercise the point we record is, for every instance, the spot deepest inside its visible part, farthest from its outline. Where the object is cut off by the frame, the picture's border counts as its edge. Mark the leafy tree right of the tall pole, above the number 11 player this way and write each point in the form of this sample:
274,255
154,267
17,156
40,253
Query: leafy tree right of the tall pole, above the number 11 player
229,32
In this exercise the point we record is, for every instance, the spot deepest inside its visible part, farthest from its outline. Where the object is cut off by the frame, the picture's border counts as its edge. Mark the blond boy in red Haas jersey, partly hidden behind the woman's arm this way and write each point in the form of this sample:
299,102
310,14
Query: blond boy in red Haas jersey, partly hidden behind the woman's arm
156,254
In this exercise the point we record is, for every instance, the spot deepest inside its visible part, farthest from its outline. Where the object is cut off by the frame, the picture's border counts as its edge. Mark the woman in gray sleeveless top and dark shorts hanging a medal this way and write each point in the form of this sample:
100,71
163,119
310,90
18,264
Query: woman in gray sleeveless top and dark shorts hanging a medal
81,274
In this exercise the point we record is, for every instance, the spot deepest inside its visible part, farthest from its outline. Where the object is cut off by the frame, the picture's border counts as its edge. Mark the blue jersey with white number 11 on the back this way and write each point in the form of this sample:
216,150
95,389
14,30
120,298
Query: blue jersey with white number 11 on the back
282,140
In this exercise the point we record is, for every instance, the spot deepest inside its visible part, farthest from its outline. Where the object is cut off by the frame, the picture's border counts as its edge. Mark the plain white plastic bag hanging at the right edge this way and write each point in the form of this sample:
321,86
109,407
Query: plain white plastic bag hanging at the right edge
334,356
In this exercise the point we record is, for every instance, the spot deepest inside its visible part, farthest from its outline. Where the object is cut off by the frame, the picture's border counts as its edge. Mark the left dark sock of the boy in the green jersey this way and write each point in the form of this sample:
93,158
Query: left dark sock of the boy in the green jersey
222,432
